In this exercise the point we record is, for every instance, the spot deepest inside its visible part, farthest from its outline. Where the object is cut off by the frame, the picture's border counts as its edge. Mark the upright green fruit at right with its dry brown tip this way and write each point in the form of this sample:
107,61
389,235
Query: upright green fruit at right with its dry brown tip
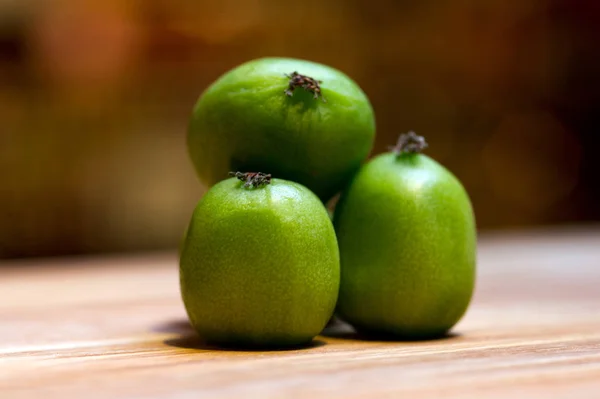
407,238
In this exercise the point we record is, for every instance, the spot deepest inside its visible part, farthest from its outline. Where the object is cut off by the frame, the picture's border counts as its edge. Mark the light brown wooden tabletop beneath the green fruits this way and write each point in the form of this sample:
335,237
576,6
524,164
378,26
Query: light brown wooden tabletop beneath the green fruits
115,327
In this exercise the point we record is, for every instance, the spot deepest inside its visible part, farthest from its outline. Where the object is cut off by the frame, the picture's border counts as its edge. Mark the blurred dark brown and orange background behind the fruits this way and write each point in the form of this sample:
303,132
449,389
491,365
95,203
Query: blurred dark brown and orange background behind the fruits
95,97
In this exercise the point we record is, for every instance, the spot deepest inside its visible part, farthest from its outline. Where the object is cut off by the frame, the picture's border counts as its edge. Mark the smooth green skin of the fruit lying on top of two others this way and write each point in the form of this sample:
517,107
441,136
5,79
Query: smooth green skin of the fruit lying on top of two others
244,121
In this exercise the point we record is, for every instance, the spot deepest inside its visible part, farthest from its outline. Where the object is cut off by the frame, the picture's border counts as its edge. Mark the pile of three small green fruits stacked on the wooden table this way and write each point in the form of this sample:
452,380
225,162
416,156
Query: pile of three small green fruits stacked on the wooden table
262,264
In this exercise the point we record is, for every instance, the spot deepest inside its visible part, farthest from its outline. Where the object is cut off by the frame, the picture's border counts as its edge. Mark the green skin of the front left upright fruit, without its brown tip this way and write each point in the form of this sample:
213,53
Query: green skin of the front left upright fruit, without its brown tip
260,267
